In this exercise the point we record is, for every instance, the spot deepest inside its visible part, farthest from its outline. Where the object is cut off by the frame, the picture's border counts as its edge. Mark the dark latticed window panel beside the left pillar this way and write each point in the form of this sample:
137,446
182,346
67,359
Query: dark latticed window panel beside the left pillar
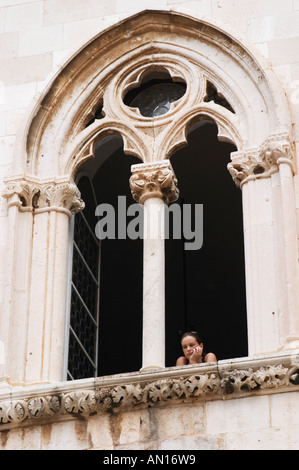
84,308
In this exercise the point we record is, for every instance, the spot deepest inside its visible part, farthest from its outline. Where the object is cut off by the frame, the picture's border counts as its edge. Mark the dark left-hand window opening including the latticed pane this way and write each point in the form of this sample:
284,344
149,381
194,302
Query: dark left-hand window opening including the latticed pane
105,331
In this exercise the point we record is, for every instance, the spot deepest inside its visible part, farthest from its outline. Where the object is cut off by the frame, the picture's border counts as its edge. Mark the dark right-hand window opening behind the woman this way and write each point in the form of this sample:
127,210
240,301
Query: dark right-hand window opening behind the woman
205,289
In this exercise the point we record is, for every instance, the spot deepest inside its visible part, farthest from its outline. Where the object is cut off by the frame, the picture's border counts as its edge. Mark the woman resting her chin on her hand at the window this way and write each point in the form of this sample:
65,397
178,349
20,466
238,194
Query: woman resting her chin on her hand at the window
192,347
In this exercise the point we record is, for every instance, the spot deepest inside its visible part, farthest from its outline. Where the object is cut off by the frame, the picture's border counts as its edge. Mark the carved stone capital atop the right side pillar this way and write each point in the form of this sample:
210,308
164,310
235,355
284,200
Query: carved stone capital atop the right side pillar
261,162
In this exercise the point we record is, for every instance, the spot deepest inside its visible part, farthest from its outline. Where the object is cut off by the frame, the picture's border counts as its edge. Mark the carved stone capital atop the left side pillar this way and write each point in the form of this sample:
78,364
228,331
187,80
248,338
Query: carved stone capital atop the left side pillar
37,197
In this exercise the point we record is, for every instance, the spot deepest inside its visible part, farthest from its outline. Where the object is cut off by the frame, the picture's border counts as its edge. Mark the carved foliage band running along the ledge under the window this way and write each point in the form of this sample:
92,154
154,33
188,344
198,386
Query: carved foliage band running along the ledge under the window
207,385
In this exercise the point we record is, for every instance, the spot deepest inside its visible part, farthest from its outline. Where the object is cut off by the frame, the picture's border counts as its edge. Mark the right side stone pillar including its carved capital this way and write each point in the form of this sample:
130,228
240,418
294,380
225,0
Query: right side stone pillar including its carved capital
266,178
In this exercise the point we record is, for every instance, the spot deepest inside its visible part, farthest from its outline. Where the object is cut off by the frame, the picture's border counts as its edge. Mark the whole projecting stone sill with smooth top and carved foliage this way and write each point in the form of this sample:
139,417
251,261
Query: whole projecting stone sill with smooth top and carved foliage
42,404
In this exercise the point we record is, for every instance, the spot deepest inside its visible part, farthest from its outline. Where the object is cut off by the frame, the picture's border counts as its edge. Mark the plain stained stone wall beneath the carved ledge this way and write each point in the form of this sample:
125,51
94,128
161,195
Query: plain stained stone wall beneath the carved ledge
263,423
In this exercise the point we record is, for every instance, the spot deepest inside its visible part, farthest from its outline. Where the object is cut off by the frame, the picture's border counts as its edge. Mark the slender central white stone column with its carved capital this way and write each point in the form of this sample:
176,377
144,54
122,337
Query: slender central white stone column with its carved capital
154,185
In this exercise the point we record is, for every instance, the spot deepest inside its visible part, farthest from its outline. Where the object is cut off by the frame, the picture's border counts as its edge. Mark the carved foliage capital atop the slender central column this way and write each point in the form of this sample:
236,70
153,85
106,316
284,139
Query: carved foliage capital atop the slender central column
154,180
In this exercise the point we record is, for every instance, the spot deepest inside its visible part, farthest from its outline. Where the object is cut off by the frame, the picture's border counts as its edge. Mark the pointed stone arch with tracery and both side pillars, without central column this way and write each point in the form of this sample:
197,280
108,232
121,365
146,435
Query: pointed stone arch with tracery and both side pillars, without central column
57,138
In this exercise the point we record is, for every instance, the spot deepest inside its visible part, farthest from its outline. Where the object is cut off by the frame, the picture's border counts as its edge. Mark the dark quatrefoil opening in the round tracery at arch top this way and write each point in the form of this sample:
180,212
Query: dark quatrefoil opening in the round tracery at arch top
154,96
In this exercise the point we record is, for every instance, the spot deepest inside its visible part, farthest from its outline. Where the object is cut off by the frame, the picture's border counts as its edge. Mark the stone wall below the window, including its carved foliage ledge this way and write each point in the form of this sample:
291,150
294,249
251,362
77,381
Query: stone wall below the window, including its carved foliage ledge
237,404
